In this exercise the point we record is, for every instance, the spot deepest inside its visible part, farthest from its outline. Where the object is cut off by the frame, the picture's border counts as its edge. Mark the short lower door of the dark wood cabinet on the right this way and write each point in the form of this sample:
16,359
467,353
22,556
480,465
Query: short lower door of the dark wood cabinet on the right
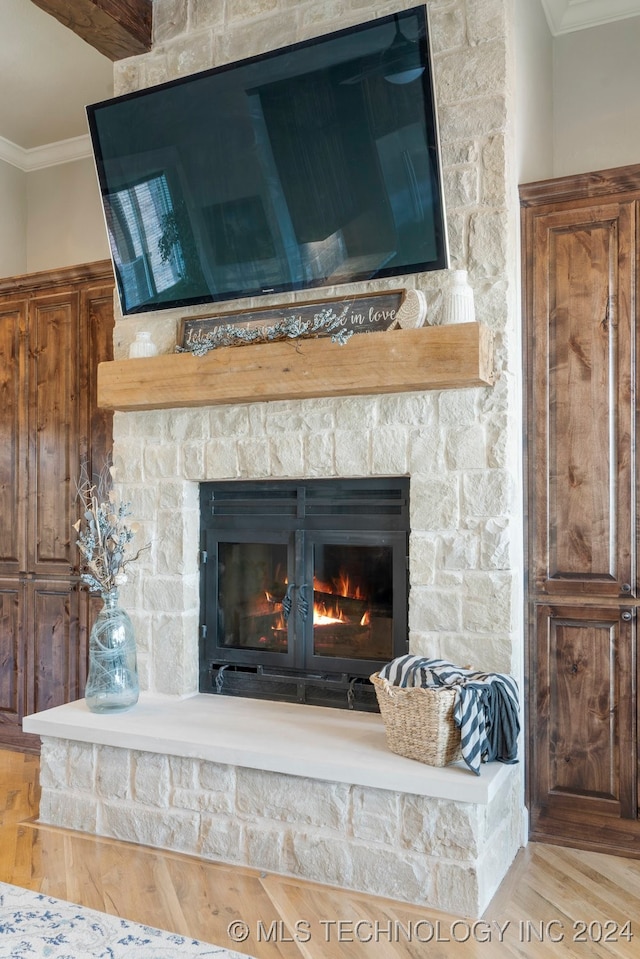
582,749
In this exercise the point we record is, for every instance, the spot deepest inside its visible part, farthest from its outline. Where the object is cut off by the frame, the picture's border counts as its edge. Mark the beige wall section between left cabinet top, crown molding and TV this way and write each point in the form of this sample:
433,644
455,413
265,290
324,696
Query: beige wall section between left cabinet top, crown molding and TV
65,224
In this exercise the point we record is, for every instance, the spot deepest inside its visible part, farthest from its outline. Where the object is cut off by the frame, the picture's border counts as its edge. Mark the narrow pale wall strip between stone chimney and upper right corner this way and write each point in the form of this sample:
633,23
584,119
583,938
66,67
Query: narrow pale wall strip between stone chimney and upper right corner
534,92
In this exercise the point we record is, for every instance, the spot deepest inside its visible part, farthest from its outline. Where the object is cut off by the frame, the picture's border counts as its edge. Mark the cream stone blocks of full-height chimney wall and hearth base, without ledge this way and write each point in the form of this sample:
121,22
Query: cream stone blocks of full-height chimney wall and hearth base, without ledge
459,448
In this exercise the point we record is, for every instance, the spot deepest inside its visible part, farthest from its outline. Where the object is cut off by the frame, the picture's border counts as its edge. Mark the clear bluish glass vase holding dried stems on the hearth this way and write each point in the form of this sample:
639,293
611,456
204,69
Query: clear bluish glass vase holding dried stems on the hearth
112,683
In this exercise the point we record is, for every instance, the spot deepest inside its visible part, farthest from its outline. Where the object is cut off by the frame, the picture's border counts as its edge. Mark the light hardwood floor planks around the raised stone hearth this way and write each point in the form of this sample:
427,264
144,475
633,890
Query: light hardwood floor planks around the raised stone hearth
553,902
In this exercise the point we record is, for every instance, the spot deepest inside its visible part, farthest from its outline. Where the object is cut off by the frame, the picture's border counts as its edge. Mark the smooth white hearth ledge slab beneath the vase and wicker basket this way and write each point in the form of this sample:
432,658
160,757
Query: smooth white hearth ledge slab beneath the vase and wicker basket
317,742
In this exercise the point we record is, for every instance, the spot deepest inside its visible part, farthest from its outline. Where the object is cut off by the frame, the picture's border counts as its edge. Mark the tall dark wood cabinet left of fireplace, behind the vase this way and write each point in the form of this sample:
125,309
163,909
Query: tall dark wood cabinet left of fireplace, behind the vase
54,330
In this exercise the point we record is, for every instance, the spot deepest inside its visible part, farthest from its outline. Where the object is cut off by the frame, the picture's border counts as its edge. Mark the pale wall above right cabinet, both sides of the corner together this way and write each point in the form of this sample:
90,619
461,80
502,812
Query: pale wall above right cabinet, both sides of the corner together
578,108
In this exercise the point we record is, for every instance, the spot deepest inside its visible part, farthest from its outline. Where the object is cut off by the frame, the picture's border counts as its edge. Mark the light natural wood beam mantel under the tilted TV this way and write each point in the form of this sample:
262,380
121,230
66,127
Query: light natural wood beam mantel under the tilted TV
429,358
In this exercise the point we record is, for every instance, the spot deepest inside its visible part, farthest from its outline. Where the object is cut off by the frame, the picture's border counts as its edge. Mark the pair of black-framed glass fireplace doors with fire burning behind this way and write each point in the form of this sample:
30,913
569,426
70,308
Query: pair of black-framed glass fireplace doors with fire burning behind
328,601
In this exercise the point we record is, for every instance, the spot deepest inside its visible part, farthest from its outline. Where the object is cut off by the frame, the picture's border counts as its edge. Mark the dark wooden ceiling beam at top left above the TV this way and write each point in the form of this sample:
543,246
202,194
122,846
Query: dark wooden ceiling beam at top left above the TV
117,28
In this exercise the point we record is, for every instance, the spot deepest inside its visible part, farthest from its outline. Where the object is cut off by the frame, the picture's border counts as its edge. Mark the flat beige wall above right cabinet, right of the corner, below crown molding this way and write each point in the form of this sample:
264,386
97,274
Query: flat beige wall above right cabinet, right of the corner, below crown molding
596,82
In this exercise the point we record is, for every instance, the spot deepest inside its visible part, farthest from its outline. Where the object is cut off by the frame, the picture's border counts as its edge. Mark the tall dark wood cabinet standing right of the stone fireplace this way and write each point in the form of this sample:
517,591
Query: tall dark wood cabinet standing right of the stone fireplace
580,257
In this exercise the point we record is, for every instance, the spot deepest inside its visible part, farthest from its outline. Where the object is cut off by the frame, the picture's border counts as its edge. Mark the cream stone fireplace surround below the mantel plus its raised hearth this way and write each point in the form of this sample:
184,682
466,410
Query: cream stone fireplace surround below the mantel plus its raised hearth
314,793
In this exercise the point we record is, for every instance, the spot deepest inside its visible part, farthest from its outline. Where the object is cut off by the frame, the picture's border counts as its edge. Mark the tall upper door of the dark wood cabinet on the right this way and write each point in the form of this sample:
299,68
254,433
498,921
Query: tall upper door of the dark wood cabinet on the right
581,401
